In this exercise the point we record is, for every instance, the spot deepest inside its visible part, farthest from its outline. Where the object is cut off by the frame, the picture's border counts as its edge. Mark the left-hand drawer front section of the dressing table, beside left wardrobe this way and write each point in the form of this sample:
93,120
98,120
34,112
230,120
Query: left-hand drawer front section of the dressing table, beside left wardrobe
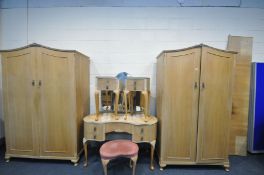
94,131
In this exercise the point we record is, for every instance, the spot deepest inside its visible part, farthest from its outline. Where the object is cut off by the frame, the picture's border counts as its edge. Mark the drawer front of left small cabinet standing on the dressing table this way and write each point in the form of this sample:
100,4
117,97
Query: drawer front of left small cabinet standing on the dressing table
107,83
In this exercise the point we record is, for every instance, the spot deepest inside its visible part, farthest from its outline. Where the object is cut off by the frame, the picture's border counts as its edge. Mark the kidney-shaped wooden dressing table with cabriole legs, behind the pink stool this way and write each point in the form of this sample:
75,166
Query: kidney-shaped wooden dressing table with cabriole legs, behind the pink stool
141,130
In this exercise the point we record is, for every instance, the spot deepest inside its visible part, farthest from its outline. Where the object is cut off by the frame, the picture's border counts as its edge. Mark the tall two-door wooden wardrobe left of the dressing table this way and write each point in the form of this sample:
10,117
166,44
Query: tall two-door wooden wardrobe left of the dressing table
45,97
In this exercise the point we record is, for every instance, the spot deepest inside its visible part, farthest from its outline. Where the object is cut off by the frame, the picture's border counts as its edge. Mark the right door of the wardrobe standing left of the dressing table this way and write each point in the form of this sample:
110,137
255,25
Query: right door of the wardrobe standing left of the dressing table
57,103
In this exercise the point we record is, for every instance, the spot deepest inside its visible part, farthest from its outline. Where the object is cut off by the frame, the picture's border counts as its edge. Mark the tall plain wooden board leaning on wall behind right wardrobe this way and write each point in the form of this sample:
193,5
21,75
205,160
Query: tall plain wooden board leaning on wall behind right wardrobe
241,91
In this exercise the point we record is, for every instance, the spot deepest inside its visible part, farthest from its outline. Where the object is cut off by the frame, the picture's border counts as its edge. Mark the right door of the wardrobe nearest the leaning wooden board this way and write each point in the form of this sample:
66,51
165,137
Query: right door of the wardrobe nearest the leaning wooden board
214,105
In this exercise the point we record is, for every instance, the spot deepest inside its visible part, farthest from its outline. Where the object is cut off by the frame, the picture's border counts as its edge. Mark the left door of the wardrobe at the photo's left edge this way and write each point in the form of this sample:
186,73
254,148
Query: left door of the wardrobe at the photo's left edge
19,102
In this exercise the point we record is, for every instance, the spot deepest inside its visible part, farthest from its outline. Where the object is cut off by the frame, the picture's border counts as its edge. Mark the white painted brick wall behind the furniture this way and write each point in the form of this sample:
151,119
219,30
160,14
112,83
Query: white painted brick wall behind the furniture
129,38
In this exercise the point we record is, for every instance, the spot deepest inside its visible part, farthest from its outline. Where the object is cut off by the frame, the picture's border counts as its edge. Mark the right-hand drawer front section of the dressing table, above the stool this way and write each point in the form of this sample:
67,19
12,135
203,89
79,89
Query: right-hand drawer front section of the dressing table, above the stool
144,133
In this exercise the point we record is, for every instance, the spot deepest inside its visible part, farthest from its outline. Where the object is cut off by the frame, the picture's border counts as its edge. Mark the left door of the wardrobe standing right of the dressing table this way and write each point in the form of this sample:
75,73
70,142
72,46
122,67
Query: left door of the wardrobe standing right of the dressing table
182,71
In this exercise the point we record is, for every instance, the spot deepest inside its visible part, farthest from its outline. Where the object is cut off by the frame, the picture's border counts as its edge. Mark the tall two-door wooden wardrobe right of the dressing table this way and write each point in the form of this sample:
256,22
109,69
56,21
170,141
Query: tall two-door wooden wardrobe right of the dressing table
194,87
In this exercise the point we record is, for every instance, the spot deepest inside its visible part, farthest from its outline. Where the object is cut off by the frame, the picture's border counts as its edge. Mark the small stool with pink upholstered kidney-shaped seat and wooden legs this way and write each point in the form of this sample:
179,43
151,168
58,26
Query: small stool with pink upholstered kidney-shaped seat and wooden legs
118,148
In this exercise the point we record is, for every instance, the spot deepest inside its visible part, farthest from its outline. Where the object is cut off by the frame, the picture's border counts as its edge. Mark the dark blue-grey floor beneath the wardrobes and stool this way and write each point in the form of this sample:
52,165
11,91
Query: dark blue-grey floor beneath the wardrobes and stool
249,165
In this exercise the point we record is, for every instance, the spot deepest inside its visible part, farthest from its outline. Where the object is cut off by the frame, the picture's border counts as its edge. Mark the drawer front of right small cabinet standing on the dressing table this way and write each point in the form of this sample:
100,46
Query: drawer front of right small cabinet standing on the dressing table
137,84
